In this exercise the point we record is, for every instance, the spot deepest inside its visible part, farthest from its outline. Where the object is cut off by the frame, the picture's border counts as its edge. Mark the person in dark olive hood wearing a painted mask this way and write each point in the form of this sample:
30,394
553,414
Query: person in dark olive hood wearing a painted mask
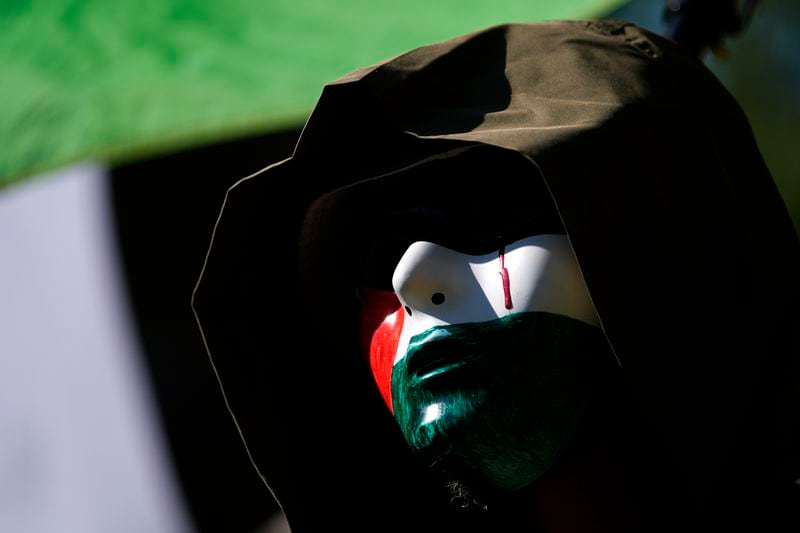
534,278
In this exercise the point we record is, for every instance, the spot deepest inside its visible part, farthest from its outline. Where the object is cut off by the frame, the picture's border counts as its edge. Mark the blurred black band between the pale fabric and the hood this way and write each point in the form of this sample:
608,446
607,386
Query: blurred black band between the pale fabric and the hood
165,211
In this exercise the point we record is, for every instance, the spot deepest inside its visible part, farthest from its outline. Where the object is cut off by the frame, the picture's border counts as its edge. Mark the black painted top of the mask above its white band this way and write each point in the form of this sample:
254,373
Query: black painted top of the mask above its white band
472,204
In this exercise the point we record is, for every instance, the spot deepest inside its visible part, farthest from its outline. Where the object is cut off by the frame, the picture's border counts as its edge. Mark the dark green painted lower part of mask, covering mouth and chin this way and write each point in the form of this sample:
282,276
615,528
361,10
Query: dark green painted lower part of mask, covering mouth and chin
495,404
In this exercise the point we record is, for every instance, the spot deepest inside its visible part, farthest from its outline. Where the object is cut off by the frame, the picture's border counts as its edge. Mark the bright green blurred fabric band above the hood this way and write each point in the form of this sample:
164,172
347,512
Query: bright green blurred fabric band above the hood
120,81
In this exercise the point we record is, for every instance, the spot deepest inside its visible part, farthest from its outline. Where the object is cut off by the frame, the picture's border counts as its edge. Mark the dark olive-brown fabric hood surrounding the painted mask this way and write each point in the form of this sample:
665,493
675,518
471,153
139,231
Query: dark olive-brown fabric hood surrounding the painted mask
685,245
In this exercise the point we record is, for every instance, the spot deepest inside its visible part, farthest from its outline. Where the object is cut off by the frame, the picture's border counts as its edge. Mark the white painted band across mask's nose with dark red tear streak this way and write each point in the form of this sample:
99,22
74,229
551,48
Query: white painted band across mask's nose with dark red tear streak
438,285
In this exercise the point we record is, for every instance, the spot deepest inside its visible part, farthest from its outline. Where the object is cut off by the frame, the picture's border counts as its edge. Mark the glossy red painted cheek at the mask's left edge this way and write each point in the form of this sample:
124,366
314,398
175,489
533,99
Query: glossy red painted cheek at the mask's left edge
380,323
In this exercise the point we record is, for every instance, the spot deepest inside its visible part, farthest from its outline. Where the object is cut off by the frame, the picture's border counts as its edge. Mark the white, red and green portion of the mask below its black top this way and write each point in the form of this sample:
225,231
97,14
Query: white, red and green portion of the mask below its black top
486,360
